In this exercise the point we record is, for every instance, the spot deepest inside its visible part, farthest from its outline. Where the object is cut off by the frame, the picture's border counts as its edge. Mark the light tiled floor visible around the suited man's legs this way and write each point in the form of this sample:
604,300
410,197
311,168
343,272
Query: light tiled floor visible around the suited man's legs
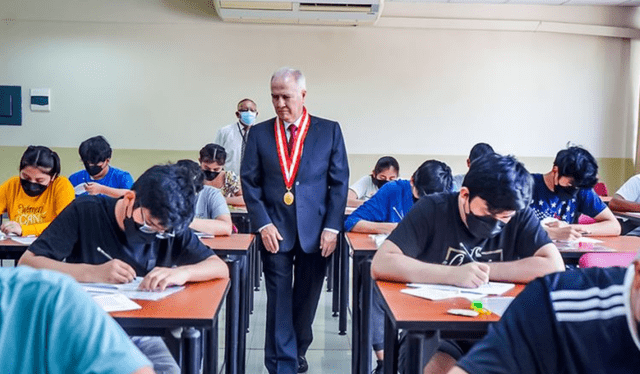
329,352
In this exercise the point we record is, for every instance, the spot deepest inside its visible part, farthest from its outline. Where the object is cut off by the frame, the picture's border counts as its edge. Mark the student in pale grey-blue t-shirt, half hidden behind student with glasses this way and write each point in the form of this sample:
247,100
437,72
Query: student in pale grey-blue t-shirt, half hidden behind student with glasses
212,213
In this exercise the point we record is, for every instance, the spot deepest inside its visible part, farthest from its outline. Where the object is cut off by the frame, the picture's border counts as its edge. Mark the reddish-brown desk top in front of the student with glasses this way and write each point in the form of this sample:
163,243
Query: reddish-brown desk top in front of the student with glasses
197,302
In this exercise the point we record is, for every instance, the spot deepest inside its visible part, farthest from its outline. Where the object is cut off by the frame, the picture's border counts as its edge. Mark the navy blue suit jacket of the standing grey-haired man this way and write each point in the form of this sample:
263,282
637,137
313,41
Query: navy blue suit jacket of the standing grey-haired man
320,187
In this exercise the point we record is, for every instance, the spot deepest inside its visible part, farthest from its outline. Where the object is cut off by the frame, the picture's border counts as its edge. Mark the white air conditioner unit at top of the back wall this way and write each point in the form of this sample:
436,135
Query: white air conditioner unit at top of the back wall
320,12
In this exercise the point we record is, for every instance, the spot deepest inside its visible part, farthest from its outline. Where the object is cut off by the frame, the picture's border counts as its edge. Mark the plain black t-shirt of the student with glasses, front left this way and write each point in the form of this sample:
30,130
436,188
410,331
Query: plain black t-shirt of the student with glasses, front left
89,222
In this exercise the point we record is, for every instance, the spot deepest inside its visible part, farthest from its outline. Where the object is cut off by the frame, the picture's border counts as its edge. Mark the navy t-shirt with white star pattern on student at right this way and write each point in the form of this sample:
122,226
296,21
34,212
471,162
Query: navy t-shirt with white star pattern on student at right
546,203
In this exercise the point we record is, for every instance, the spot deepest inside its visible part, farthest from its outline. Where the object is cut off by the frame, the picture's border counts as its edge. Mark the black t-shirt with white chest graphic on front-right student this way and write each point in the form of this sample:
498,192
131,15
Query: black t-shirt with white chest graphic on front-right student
433,232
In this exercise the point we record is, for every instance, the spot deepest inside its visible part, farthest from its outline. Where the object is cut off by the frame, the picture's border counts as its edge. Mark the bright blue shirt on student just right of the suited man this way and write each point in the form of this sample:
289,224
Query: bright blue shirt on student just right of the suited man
390,204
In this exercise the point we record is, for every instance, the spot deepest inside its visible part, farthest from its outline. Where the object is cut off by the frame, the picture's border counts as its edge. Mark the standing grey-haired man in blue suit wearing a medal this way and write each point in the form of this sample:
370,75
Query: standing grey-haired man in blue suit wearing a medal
295,181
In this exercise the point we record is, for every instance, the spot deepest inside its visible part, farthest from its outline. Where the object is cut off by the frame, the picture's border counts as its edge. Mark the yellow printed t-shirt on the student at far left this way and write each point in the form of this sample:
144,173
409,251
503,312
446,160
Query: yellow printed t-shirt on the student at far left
35,213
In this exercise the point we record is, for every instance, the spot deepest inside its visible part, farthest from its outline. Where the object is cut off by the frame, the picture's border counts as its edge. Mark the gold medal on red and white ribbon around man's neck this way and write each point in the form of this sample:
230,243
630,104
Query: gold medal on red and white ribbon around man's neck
290,160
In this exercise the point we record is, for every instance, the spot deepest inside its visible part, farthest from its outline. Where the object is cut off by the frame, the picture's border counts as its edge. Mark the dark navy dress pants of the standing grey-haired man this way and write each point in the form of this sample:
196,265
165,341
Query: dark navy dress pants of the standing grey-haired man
294,282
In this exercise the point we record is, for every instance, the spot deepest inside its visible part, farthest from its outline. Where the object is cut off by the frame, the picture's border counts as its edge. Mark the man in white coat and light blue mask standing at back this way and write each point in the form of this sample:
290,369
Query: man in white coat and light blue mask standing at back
233,137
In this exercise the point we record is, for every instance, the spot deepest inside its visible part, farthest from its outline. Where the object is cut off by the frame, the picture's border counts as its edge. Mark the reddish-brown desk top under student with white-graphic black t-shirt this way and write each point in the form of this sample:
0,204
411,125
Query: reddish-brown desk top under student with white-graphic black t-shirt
421,314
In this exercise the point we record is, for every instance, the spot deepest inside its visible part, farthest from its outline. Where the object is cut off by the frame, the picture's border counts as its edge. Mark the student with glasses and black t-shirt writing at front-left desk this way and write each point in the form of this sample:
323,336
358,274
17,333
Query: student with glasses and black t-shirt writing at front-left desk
144,233
